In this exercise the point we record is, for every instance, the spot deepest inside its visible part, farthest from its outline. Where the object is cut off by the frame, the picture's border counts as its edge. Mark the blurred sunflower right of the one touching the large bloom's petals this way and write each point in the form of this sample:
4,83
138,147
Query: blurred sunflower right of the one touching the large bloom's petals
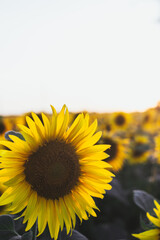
139,149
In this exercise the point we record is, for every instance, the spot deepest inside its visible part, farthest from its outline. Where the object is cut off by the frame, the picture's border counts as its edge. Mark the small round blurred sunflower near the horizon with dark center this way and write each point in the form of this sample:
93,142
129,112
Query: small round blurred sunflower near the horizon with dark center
120,120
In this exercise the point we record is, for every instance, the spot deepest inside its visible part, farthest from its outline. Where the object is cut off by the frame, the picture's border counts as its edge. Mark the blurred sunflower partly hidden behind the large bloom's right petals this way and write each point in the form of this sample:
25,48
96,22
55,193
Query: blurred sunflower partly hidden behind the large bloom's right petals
116,152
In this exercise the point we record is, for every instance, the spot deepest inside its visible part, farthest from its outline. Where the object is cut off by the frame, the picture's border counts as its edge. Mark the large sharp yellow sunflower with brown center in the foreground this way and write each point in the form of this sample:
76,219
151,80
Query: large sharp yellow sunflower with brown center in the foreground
54,174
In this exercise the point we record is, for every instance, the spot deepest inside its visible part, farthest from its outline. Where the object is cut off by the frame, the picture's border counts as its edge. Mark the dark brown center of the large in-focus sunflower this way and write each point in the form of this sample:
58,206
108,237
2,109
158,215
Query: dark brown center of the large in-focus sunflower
53,170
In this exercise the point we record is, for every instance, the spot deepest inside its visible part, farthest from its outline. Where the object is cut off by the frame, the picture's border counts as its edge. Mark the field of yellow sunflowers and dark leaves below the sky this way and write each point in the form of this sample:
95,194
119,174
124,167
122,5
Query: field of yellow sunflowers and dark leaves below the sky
80,176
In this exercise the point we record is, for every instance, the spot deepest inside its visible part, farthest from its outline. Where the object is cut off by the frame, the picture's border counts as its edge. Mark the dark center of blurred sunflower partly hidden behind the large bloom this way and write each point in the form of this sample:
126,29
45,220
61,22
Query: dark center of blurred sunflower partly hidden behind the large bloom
112,151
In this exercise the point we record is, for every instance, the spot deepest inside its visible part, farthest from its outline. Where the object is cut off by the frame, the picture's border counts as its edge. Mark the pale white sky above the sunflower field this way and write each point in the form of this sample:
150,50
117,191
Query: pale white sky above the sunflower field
94,55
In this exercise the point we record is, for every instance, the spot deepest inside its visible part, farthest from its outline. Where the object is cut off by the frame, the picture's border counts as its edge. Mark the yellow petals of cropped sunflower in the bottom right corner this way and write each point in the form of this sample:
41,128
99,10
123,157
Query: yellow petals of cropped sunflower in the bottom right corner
152,234
